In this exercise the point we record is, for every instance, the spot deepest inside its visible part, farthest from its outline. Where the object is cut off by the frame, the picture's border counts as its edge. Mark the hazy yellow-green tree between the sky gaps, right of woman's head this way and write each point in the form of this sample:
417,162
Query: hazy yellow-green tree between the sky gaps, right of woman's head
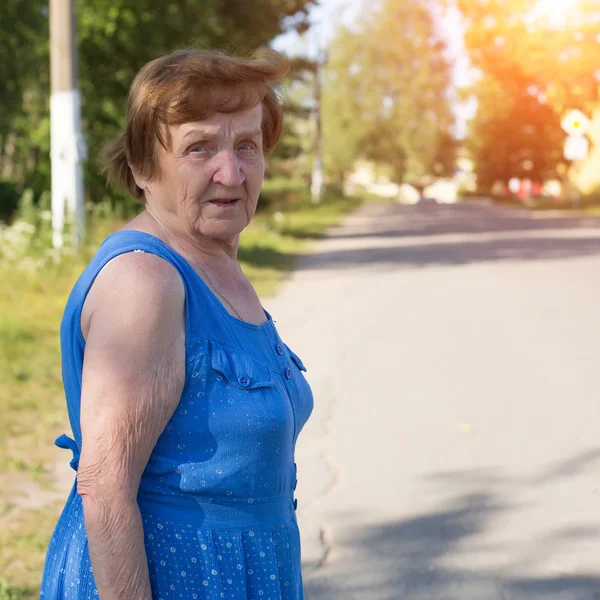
385,92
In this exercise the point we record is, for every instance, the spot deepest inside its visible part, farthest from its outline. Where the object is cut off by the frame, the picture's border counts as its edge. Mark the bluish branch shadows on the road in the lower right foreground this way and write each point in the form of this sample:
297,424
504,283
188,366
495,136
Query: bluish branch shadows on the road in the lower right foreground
413,559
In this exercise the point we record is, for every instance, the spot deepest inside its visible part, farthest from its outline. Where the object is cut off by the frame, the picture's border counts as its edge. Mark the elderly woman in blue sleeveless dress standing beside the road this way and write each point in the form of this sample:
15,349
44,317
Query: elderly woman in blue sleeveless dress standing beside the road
184,401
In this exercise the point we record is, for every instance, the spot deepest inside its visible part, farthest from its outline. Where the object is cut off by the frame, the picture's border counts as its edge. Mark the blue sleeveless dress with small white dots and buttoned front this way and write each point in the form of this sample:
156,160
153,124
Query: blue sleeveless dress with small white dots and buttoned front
217,496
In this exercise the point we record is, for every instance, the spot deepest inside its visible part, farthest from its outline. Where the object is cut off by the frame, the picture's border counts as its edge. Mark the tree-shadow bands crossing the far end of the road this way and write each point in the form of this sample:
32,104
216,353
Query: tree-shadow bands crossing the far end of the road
496,236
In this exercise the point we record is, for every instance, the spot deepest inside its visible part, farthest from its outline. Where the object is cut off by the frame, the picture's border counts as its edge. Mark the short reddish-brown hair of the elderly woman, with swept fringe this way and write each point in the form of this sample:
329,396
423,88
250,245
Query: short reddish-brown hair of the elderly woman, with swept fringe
186,86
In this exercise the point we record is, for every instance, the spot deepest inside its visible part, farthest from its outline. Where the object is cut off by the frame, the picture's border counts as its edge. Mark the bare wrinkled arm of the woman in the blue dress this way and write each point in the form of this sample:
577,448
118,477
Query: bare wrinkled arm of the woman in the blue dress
133,375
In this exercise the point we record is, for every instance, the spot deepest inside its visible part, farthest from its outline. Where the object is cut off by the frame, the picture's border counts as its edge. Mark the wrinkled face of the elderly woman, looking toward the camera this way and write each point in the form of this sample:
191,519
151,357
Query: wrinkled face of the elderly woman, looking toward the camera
211,173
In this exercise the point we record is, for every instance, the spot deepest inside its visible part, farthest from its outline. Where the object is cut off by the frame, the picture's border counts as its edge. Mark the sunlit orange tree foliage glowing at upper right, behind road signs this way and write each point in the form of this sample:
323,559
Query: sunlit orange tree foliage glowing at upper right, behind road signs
535,64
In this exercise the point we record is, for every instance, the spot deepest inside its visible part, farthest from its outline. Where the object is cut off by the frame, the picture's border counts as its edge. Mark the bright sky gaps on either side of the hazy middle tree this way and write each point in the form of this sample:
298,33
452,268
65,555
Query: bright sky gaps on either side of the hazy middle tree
333,13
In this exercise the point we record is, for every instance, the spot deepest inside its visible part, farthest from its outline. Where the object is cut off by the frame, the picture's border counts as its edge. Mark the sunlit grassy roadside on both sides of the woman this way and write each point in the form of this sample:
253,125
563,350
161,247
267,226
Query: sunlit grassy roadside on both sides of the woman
31,395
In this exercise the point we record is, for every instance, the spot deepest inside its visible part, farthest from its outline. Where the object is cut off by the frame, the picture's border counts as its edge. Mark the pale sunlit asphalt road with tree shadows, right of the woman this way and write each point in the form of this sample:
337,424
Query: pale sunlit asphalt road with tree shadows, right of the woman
454,450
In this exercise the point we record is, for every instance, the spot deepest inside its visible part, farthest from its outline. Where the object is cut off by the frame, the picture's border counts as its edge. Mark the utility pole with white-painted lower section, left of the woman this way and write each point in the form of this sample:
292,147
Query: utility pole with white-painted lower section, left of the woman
67,144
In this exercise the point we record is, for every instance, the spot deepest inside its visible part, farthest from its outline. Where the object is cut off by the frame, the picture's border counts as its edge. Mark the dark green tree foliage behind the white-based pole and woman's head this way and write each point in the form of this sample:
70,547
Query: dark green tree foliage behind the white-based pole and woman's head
116,37
